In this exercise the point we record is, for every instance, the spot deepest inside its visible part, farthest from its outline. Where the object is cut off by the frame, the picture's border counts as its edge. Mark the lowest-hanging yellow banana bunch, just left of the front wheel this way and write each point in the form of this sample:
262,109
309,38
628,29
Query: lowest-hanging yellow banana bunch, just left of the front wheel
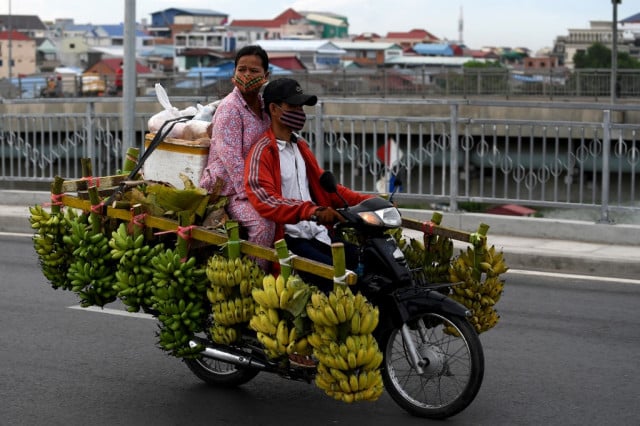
348,355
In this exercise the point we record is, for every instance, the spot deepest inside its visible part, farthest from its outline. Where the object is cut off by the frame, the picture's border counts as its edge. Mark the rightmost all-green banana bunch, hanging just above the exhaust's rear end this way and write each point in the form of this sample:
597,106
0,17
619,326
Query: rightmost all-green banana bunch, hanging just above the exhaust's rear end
177,295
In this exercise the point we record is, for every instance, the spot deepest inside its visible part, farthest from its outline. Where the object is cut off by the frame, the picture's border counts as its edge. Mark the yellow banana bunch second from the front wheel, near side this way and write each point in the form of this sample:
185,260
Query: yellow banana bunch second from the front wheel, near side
279,320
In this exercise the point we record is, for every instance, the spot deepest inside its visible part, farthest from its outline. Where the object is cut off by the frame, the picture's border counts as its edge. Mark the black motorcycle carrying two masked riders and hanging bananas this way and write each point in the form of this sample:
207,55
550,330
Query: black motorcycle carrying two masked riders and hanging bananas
433,362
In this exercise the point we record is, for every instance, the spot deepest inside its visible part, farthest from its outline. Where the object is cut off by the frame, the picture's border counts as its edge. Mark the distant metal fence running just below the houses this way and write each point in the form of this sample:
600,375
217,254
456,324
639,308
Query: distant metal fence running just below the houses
423,82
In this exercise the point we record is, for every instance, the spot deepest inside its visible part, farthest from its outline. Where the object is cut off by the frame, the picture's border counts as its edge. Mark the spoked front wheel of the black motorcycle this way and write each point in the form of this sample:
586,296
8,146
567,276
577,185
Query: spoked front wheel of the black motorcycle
449,353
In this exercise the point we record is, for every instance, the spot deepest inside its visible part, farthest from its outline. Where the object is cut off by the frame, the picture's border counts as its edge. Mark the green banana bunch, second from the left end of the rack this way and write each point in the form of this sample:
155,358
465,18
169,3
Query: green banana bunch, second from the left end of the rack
91,271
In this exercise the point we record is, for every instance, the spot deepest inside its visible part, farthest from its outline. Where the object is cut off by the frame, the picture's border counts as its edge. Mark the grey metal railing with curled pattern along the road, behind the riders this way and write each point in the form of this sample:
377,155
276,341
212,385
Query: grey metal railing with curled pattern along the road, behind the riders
451,159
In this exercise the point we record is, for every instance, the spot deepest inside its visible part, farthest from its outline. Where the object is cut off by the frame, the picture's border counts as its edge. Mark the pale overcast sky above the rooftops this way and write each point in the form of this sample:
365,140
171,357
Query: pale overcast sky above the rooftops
516,23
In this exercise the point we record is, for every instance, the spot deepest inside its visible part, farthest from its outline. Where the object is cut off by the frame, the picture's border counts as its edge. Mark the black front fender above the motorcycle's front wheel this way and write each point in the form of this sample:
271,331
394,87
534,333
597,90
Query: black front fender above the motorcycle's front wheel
412,302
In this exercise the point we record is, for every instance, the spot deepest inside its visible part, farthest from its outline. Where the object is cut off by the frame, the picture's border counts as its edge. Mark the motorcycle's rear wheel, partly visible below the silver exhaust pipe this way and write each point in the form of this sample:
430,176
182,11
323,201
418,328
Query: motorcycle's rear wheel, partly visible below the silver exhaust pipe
219,373
